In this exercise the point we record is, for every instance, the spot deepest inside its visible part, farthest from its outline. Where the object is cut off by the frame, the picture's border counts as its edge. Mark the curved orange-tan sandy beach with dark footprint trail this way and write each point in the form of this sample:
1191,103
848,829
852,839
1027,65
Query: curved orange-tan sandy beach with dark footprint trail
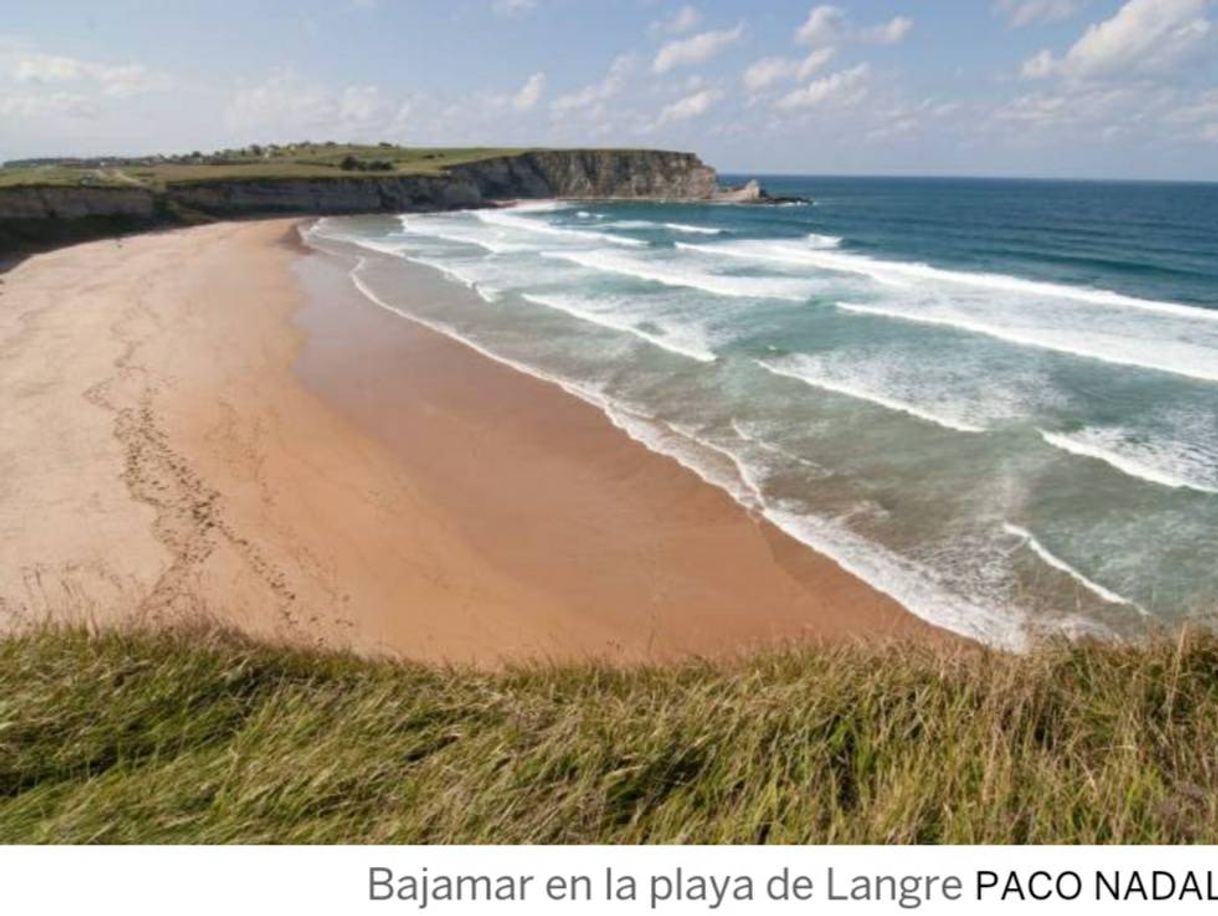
214,422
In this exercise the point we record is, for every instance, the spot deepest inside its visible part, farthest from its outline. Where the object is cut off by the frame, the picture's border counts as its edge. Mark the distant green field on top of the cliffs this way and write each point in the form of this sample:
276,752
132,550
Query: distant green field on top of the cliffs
292,161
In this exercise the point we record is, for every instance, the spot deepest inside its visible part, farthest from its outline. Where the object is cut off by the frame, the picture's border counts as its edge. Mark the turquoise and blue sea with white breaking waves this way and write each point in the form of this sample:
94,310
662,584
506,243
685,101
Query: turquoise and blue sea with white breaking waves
997,401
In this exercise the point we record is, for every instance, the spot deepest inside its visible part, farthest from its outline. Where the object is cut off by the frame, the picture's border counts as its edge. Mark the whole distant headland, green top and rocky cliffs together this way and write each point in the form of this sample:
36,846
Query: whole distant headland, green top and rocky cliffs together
52,202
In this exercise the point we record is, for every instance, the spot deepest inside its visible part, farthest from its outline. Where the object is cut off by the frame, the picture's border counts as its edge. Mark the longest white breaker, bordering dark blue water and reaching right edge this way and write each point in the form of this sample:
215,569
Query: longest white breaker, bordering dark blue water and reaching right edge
902,272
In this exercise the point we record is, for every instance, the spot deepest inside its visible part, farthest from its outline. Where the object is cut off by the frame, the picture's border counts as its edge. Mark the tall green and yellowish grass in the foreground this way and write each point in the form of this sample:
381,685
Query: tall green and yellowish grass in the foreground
209,738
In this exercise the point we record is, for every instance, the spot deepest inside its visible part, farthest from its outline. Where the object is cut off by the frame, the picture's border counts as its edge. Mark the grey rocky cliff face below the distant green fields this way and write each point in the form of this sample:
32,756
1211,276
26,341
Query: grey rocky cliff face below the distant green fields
33,215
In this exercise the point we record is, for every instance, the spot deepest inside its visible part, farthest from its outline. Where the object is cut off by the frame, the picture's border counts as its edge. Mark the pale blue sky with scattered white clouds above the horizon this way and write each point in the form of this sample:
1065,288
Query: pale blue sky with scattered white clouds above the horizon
1044,88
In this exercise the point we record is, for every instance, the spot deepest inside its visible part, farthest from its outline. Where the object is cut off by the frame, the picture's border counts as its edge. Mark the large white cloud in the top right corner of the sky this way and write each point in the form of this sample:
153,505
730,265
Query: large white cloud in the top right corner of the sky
1144,37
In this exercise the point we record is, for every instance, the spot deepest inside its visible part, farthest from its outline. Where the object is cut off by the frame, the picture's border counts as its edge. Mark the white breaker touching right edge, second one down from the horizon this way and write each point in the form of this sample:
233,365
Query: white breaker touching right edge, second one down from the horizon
1175,360
